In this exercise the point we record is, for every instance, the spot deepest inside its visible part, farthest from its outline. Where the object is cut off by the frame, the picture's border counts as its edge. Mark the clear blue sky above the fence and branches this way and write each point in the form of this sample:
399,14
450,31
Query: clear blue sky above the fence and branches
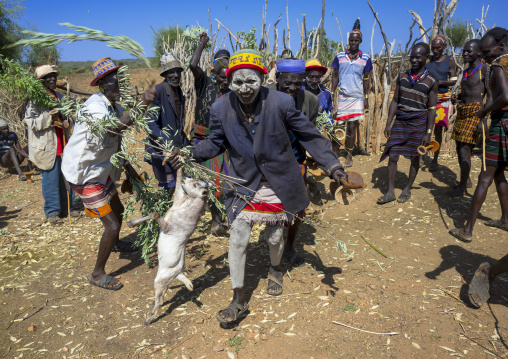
133,19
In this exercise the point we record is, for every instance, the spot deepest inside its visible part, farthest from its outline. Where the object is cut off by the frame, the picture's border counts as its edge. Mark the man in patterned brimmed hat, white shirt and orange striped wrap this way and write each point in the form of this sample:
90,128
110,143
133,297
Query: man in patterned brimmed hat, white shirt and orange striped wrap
87,163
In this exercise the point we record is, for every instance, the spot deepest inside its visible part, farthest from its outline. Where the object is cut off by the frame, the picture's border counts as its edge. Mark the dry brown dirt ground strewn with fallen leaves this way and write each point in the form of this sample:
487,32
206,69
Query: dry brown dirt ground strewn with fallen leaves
417,293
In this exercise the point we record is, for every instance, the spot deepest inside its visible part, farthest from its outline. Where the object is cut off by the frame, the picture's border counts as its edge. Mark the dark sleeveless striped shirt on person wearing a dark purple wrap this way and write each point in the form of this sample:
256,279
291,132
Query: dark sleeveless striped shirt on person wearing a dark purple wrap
414,97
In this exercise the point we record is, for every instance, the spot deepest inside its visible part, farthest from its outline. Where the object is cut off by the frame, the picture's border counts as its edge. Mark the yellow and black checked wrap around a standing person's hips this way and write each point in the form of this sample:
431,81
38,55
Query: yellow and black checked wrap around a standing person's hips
464,129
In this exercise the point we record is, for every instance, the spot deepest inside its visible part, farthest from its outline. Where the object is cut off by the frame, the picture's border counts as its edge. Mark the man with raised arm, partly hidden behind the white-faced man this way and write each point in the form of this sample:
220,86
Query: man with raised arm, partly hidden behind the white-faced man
208,90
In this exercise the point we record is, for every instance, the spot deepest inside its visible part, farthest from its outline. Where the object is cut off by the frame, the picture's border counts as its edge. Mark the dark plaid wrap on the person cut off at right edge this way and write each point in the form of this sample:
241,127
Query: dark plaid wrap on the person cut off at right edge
496,146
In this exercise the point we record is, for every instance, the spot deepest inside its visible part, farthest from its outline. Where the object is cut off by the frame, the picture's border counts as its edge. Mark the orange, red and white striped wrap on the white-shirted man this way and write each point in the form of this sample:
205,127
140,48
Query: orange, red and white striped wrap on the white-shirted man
96,197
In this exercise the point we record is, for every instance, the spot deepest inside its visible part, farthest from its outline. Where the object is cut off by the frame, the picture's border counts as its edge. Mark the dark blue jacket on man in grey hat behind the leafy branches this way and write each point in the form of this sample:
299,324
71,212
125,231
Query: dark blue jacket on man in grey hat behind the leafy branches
168,120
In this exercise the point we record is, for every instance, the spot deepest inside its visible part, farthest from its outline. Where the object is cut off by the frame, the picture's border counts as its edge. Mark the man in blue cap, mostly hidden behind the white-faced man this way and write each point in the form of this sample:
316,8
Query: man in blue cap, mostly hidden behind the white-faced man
290,77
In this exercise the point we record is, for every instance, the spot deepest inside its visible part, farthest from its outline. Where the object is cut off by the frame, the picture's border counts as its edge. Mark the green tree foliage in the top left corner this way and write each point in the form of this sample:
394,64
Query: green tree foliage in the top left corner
10,32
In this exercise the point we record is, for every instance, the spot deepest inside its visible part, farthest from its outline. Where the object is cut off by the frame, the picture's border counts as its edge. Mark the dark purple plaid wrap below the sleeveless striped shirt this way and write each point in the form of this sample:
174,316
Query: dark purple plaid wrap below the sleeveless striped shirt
408,130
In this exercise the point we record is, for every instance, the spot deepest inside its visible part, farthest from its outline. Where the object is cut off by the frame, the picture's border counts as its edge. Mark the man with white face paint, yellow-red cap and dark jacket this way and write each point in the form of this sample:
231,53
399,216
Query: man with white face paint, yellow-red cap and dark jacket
252,123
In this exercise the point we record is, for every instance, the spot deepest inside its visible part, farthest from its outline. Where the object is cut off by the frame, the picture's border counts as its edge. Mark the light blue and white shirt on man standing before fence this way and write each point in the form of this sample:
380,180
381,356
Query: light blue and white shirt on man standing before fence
351,73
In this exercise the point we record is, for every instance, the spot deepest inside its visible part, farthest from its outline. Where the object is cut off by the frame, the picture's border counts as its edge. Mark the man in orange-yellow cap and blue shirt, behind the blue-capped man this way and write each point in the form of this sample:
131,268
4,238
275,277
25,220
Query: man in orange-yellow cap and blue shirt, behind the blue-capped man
314,73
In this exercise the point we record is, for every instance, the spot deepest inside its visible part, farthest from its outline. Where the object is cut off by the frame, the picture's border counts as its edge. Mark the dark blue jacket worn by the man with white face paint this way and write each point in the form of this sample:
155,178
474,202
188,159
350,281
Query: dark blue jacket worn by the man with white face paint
263,148
